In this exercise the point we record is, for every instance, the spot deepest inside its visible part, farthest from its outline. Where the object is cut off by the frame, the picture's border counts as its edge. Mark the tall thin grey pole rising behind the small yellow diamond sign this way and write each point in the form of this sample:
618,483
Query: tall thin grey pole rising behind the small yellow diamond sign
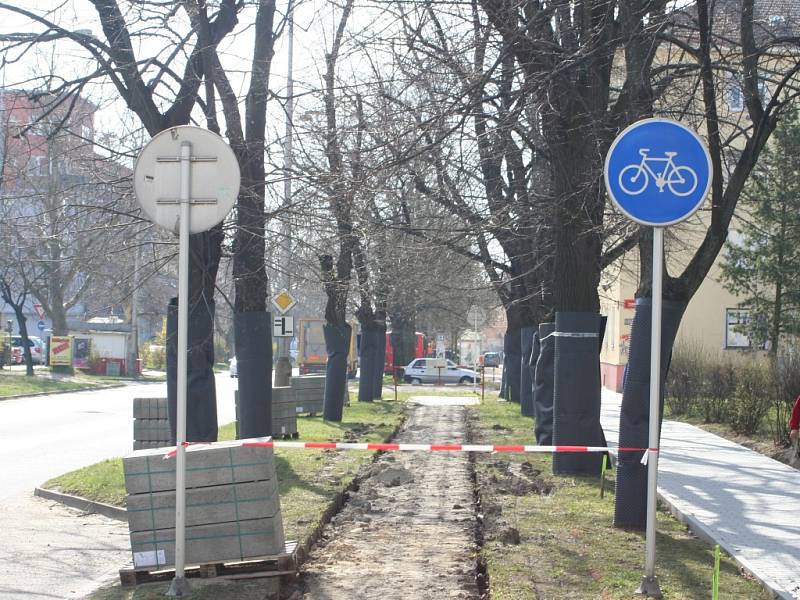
283,367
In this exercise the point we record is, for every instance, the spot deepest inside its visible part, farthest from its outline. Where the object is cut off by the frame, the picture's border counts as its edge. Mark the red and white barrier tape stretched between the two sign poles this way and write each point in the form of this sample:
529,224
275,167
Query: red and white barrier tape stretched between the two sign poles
390,447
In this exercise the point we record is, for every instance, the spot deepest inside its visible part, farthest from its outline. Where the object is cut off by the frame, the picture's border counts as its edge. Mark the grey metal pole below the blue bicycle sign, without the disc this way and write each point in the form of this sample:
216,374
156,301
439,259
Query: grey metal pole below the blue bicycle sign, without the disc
650,582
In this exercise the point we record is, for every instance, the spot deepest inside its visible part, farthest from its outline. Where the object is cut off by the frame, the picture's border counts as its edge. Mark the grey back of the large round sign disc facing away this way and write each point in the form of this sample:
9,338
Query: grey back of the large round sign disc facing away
214,182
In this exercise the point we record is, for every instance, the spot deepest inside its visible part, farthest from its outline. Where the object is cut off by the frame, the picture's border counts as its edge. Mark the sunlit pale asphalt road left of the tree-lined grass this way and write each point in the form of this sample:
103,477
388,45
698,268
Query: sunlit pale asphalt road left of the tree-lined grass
50,551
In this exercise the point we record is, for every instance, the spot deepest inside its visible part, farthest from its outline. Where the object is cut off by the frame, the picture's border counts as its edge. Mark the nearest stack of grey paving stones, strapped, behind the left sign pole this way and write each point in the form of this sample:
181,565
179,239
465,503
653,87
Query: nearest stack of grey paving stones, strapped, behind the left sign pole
232,504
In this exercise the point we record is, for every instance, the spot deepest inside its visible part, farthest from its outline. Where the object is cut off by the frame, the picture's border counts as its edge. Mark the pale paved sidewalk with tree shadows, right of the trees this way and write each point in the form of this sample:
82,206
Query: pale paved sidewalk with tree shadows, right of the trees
747,503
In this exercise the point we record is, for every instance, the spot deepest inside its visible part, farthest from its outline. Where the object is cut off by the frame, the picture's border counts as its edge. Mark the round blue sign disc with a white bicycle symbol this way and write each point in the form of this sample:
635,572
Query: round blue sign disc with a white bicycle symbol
658,172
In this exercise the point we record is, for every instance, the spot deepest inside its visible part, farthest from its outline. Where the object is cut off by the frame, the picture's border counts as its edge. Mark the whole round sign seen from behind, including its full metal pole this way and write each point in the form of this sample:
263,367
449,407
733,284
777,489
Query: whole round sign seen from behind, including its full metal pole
165,195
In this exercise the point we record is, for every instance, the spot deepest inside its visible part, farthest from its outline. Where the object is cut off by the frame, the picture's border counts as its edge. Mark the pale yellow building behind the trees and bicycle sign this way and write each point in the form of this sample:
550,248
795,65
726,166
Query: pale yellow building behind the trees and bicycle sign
712,316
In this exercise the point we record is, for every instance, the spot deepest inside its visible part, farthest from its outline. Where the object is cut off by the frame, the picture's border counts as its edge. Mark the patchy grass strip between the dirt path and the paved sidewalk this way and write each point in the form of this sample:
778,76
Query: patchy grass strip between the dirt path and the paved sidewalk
568,547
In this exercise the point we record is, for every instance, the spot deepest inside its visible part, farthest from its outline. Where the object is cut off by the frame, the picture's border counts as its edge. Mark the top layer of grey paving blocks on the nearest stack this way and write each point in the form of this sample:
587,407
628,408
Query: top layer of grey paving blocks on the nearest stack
206,464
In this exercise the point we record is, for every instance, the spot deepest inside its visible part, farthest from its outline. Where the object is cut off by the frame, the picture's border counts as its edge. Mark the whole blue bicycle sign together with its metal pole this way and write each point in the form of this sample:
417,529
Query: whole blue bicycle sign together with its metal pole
658,173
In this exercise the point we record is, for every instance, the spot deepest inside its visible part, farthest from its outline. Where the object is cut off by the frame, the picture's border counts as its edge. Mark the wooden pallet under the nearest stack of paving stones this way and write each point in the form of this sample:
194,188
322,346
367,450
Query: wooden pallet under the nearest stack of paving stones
284,563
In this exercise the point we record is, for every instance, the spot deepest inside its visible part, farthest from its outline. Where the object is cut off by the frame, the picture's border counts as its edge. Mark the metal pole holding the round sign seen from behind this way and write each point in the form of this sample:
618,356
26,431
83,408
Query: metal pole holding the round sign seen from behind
180,586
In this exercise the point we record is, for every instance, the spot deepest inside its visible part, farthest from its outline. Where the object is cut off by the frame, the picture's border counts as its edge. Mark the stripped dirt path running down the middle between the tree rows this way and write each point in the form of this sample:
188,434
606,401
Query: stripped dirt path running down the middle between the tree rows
408,532
